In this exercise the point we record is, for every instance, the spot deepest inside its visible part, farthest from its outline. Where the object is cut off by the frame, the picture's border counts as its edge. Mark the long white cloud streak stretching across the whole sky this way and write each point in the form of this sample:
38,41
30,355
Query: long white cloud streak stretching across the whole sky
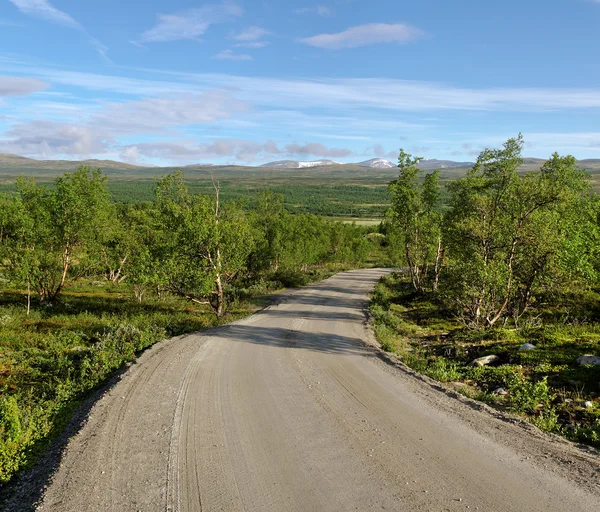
327,93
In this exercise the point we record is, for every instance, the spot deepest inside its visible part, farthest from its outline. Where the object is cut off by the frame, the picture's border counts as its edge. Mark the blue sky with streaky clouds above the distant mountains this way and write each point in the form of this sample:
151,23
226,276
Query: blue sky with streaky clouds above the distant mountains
250,81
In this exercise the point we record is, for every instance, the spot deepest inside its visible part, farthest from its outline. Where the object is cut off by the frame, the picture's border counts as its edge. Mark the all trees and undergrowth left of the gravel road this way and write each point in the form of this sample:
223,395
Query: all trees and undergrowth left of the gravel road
86,284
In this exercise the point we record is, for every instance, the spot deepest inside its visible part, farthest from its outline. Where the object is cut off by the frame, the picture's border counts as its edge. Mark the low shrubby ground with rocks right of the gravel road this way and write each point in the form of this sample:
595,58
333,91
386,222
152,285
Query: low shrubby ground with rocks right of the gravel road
544,385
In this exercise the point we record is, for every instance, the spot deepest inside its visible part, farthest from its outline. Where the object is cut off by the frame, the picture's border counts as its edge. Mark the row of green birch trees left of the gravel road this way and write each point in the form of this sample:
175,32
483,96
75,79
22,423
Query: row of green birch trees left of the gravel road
190,244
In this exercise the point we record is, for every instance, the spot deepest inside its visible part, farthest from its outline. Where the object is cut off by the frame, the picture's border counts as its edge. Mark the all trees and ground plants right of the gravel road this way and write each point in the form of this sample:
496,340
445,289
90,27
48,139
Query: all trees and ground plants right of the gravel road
500,296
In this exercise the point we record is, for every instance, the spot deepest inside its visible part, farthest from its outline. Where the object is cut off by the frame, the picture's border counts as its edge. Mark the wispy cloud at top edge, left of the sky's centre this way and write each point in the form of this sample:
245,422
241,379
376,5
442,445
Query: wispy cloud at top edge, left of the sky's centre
190,24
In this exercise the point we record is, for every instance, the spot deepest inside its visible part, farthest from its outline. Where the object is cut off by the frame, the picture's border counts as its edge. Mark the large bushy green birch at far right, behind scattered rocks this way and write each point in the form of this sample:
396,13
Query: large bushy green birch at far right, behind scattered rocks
508,234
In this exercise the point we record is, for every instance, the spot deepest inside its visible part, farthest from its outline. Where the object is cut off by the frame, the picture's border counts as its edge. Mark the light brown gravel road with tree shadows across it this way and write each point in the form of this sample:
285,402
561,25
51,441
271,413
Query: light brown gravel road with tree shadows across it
288,410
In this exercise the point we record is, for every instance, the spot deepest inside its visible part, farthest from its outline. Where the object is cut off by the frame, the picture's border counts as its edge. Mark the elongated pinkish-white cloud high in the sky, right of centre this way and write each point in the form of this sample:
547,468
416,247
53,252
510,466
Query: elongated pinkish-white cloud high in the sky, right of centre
362,35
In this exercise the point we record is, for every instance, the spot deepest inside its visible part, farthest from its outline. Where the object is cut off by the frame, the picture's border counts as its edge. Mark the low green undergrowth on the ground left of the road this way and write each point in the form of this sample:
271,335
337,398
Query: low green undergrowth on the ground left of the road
50,360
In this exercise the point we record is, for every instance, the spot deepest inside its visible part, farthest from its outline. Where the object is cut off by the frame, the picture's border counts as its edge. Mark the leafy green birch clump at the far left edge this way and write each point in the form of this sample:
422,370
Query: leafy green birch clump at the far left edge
51,237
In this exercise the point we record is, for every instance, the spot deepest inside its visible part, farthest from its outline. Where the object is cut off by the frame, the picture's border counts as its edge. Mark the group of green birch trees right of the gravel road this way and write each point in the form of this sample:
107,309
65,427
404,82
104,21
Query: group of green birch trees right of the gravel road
504,238
